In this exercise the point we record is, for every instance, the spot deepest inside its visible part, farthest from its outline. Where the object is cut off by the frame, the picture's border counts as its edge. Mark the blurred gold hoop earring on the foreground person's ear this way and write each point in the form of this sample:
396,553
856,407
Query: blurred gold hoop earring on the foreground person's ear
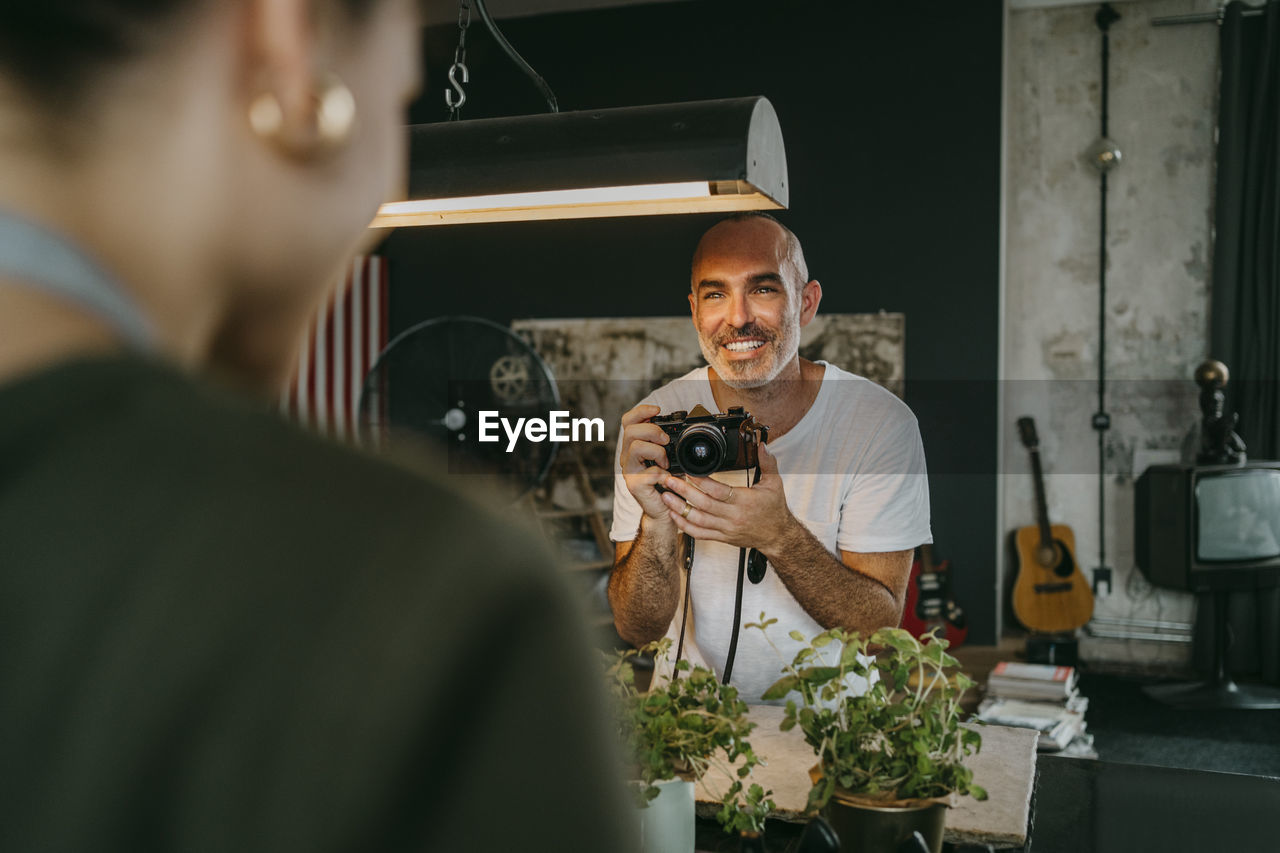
326,129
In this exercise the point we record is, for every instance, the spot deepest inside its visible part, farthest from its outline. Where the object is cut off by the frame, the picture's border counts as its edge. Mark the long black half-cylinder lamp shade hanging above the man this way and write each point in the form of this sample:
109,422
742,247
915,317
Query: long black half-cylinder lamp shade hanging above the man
721,156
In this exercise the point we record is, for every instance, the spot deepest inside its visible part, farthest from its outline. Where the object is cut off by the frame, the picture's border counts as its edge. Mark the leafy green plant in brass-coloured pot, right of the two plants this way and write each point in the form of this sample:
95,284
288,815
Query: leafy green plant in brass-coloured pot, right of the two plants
890,756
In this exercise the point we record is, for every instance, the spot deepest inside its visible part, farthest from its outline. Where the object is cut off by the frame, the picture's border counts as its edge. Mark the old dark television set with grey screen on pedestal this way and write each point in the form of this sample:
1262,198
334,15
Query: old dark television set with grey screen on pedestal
1205,528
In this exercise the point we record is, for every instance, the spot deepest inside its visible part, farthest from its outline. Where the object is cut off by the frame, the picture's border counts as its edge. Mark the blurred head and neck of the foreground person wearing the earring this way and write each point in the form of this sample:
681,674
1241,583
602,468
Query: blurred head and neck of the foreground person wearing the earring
221,158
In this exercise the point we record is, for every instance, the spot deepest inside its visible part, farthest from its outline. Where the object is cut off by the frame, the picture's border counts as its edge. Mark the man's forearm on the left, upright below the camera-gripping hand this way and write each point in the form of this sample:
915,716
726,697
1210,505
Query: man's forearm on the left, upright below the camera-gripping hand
644,589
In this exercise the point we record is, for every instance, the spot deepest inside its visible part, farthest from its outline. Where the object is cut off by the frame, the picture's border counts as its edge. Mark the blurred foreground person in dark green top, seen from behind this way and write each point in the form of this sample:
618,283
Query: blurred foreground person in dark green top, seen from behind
218,633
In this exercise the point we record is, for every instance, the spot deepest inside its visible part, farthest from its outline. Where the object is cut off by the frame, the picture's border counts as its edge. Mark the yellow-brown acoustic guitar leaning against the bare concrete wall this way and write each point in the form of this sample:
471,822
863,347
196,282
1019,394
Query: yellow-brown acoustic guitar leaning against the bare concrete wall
1050,594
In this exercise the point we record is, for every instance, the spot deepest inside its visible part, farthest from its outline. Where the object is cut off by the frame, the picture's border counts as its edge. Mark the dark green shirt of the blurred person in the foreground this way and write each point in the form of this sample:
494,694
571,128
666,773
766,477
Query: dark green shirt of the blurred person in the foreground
220,633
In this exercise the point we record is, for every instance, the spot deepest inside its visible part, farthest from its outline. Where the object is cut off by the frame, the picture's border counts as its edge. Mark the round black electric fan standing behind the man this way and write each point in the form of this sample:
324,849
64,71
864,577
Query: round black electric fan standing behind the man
440,378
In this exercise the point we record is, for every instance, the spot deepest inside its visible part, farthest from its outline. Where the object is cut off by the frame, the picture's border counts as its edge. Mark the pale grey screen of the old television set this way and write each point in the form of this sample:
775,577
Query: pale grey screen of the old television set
1238,516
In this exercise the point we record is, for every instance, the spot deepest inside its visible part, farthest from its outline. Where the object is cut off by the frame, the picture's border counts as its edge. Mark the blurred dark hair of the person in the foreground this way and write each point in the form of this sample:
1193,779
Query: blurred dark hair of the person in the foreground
53,49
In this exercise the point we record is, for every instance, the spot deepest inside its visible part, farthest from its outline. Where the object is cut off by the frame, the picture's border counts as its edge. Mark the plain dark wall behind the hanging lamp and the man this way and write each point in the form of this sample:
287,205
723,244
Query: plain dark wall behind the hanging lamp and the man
892,118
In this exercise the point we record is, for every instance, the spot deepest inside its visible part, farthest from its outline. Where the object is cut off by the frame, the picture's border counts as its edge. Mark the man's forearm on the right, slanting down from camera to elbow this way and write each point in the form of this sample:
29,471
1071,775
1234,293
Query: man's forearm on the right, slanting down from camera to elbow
830,591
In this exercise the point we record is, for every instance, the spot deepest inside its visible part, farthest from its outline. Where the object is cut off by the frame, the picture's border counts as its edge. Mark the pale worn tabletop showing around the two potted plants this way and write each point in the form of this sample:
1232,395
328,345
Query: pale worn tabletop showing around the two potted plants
1005,768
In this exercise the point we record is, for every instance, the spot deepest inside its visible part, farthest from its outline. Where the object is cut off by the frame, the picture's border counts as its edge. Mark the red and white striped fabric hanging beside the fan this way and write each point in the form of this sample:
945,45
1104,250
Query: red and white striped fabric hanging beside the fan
341,346
